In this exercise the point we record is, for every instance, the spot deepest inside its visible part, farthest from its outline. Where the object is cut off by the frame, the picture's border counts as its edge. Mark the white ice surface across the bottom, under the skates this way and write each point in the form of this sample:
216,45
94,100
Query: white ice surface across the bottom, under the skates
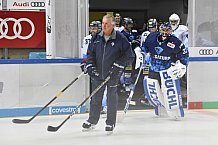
199,127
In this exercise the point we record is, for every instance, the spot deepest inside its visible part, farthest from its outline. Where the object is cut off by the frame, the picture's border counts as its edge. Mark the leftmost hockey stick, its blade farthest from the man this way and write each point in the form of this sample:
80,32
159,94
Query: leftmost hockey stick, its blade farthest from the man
22,121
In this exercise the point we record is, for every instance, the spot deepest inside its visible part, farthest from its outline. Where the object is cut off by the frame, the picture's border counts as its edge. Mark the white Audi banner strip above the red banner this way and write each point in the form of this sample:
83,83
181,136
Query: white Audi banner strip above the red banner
25,4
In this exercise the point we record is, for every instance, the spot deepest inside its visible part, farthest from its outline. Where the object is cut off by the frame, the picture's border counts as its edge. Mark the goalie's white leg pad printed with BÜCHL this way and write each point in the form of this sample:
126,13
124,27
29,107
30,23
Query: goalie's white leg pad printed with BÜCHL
172,95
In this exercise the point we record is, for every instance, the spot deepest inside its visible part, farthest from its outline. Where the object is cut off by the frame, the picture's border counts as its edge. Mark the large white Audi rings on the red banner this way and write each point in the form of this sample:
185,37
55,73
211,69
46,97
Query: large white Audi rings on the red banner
17,28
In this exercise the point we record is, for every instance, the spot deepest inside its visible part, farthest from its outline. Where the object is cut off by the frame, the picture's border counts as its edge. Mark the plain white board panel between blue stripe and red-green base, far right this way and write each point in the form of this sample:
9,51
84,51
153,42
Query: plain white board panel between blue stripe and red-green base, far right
202,81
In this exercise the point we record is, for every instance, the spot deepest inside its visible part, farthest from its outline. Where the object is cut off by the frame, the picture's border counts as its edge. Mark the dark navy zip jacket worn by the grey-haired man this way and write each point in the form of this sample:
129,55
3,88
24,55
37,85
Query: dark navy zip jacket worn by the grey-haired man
102,54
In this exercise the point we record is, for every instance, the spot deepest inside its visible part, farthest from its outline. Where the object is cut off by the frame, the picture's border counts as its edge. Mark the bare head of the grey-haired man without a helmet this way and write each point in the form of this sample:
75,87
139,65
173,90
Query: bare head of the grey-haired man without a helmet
107,26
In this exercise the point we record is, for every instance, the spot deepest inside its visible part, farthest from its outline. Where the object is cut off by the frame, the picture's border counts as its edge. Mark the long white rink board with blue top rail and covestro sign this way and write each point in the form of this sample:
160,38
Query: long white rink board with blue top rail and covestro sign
29,85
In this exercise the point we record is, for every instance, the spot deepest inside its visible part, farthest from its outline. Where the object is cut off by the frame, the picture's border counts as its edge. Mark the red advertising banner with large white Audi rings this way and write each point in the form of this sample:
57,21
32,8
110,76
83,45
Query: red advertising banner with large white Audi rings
22,29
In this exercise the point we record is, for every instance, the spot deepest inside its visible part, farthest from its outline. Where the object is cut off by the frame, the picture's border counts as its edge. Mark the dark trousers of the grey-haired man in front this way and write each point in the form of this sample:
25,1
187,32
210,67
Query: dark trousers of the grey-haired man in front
112,101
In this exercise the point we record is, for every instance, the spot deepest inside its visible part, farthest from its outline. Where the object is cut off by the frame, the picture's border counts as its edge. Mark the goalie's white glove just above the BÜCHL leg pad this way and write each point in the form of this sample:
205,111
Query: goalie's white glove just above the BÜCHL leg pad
177,70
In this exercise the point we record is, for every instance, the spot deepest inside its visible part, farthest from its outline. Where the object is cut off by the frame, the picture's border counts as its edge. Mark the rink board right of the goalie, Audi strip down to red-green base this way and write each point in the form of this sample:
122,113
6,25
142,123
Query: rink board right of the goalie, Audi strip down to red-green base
202,78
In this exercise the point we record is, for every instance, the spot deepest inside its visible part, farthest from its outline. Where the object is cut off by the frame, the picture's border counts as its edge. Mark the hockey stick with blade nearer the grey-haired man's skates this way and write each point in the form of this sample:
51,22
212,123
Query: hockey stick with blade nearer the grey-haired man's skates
54,129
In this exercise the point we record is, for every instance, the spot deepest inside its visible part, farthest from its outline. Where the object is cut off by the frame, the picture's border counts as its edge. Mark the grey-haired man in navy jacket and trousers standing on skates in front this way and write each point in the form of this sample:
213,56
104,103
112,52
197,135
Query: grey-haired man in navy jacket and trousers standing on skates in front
108,54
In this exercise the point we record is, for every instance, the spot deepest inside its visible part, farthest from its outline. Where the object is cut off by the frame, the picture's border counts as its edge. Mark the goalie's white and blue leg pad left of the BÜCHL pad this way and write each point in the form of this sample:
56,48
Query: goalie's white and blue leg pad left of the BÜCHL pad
153,92
